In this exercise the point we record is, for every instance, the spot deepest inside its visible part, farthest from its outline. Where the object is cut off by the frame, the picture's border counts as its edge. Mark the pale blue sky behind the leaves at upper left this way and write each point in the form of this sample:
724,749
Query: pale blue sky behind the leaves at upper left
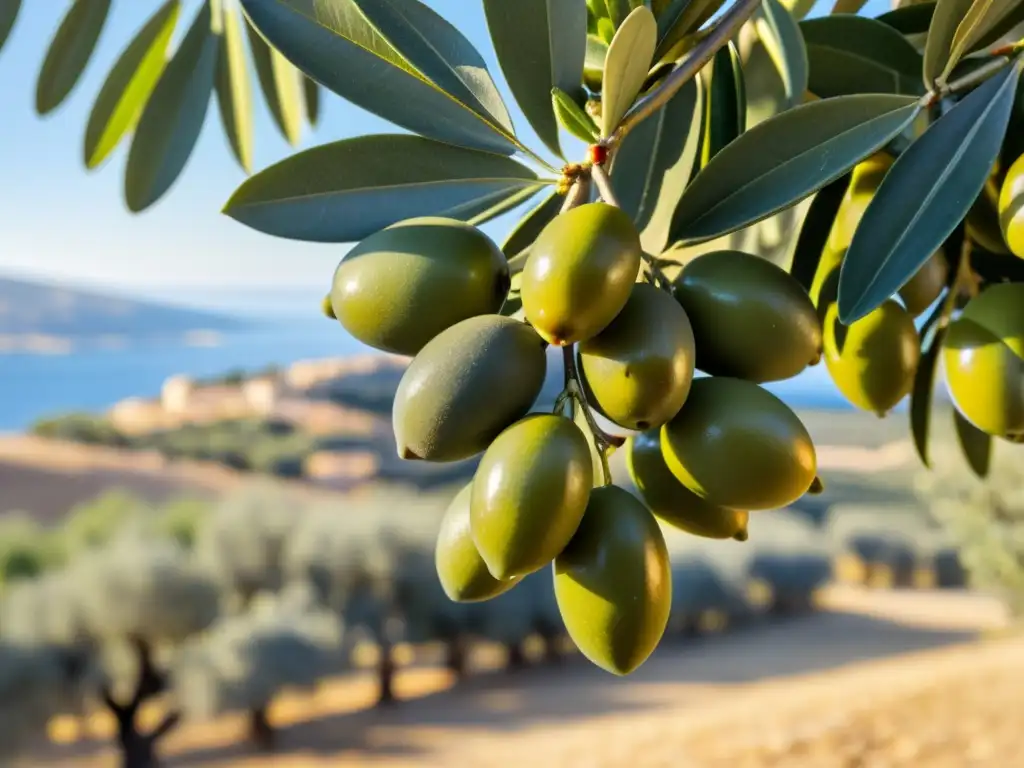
58,222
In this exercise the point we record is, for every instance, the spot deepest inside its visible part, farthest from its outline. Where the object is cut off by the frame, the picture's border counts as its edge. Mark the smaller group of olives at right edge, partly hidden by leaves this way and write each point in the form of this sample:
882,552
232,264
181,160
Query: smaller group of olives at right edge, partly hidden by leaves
874,362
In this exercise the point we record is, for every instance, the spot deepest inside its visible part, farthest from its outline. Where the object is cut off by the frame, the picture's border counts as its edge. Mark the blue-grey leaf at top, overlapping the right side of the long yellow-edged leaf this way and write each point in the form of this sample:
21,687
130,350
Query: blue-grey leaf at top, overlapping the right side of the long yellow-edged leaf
440,53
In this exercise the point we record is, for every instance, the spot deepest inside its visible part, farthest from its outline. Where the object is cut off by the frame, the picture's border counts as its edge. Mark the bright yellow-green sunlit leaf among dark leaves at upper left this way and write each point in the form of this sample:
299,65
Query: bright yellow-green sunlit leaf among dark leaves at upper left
130,86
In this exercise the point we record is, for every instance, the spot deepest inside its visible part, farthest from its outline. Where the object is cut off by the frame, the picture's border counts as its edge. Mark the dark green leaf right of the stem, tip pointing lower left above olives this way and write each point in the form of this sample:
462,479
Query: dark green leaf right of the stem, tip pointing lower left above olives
785,159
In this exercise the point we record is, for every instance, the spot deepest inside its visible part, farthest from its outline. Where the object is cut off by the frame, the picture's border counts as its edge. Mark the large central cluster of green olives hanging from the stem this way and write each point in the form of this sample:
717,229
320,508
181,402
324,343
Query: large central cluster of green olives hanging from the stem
704,453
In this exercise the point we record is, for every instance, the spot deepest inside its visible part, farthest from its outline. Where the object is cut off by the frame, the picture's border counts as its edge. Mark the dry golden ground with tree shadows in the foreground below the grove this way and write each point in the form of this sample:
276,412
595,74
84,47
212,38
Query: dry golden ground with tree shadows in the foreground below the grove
877,680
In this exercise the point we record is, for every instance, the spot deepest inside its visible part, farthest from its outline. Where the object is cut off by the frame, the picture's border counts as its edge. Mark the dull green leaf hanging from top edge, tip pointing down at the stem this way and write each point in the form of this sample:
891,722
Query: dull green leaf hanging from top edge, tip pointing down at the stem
541,45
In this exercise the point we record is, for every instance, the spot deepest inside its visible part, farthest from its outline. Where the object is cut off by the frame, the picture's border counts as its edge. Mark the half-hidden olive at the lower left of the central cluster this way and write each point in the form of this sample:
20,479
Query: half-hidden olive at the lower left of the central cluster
462,572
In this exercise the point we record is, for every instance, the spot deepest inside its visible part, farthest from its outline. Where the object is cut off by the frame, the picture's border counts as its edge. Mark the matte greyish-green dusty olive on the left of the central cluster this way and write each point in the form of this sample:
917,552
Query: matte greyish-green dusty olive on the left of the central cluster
466,387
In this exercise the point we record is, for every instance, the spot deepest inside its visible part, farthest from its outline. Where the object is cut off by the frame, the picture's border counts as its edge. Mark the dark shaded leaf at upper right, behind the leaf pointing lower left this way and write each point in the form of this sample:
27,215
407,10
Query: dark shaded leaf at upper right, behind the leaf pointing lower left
855,55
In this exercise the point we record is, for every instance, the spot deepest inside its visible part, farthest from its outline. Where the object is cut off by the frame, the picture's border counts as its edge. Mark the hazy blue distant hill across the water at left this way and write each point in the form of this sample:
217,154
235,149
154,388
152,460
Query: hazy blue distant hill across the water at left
29,309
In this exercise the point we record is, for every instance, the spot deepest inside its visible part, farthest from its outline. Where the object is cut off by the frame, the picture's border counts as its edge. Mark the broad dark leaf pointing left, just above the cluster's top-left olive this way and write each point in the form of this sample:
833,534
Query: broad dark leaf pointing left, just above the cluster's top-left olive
346,191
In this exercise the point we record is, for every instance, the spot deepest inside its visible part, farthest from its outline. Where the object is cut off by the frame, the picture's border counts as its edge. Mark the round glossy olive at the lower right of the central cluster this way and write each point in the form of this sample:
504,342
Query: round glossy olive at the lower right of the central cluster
740,447
